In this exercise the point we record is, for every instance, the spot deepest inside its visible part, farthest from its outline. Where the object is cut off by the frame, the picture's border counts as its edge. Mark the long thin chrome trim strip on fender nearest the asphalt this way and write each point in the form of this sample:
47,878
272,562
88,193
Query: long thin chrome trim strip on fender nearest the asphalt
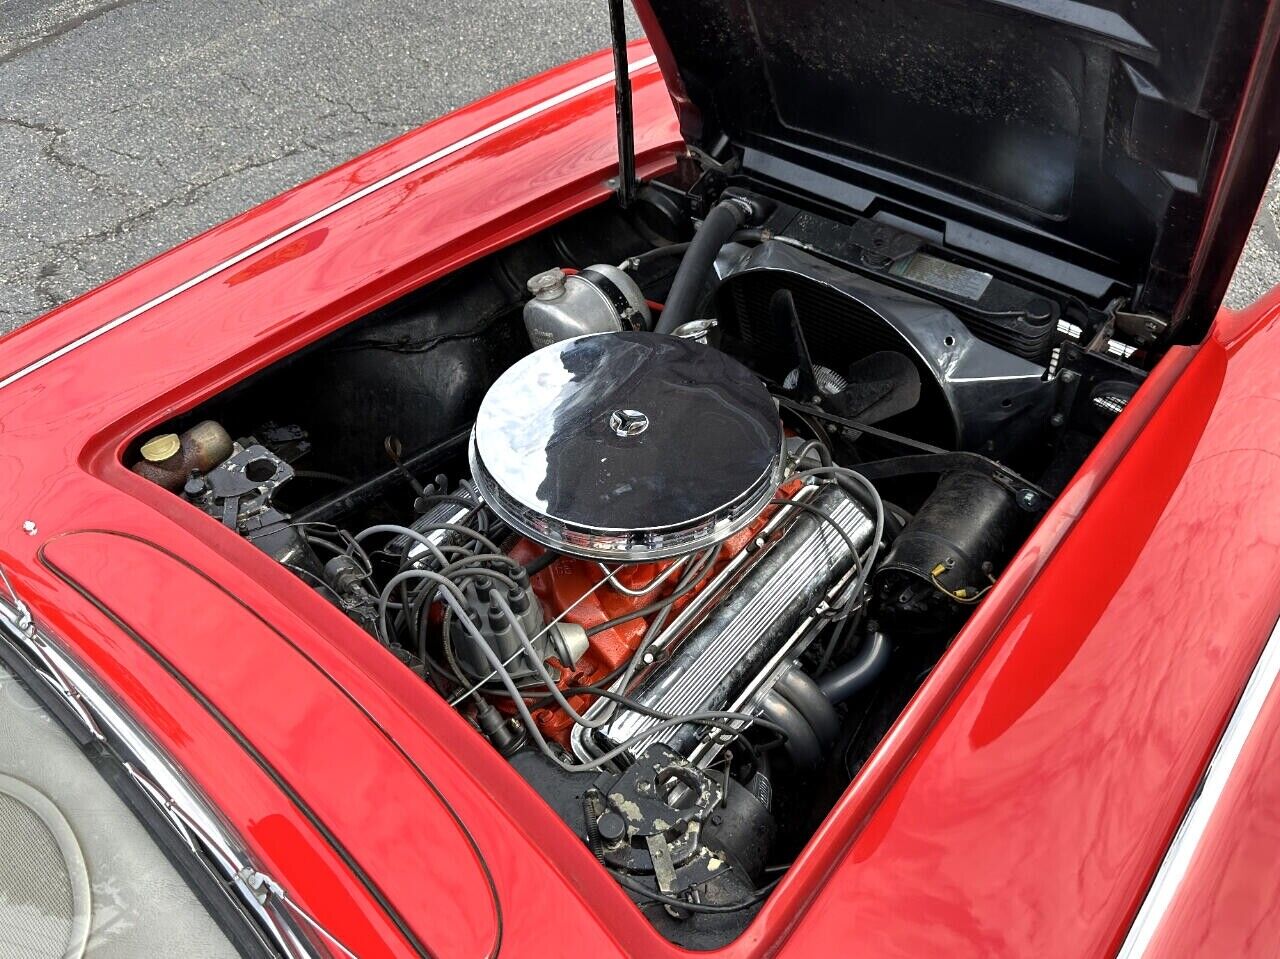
542,107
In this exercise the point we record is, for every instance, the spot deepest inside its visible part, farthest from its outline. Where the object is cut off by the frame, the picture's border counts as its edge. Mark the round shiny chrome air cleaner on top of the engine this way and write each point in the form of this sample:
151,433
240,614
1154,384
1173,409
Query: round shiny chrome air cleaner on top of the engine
628,446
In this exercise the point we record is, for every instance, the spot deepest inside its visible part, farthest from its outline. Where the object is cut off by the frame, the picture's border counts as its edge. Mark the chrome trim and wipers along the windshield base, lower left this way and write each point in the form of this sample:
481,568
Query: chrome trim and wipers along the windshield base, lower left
188,812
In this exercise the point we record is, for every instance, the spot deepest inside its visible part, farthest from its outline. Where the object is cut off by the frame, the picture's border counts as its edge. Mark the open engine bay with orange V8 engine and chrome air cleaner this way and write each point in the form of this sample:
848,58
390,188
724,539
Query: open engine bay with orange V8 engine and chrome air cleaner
676,506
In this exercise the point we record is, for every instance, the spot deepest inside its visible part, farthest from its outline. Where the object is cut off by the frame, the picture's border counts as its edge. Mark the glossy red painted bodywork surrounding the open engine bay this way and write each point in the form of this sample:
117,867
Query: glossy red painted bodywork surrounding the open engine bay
1021,806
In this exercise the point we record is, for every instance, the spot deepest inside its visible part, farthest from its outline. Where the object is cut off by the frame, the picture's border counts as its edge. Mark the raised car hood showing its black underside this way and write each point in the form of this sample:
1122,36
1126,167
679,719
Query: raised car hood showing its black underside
1112,147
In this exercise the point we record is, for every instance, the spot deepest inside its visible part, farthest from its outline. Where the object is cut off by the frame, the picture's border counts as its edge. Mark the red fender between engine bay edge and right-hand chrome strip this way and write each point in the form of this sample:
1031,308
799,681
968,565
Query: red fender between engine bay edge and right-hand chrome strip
1034,814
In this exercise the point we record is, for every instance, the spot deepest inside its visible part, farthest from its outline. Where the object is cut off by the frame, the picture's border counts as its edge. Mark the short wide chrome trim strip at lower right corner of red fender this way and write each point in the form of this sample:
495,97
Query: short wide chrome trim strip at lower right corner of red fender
1199,815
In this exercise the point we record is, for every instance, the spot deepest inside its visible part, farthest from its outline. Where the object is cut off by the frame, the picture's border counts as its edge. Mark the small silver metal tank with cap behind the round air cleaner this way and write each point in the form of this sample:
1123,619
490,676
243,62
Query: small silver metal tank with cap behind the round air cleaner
600,299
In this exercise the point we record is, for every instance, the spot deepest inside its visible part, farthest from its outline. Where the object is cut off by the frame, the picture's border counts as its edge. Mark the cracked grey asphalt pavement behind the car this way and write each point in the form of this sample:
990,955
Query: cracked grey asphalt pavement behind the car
129,126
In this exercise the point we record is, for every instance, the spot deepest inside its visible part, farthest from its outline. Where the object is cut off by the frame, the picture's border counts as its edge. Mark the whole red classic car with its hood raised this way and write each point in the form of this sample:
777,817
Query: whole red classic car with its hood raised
801,499
